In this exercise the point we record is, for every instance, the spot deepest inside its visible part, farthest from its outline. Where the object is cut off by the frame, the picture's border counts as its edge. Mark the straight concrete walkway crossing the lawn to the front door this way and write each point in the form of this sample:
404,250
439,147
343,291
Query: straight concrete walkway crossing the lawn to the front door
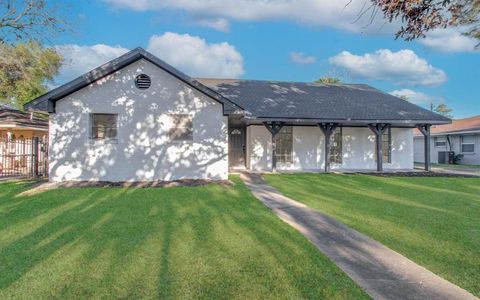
380,271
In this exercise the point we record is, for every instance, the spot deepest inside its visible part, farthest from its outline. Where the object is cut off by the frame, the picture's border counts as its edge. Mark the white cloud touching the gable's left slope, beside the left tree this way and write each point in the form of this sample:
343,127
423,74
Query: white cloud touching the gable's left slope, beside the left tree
81,59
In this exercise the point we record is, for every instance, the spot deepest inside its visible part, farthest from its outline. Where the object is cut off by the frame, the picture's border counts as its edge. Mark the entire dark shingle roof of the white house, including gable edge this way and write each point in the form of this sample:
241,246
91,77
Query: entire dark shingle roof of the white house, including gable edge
269,99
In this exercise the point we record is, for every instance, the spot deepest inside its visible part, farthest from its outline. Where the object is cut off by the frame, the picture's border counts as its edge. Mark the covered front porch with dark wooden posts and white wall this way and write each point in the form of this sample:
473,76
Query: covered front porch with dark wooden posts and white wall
323,145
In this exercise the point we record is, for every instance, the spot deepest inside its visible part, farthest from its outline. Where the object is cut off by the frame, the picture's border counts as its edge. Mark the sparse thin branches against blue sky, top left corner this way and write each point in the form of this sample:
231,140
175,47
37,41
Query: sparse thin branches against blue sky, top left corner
29,20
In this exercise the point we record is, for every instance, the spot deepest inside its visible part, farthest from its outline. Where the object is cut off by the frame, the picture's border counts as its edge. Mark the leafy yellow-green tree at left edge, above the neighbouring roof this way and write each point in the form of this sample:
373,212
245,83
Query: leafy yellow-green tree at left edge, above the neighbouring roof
26,69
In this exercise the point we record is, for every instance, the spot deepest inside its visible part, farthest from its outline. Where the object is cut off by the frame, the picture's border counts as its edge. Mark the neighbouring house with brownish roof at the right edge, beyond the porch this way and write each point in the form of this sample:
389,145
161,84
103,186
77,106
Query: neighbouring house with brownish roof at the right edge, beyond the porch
462,137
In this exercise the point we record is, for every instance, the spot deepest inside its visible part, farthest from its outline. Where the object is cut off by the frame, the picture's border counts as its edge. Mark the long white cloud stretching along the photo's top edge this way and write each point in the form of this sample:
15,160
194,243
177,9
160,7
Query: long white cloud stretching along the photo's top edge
329,13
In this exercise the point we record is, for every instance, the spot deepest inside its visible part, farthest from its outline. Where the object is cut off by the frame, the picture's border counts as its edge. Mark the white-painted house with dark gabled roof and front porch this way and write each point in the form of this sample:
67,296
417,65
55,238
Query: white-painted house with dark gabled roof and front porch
137,118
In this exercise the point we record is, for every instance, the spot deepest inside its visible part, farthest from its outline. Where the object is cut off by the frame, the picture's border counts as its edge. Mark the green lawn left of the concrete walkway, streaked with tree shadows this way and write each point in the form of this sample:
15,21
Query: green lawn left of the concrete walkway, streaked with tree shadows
211,242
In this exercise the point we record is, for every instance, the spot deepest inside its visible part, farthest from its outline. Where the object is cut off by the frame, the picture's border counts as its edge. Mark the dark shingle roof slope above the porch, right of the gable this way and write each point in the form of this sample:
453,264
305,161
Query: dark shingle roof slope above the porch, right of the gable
300,100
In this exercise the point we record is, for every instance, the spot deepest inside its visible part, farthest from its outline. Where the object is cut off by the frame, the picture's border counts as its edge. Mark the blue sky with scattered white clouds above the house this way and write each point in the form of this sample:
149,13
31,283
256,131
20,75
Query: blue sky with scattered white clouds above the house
280,40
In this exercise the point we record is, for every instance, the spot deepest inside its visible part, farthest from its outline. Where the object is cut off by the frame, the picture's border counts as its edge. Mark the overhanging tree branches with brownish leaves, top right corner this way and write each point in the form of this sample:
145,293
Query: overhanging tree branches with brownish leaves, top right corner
421,16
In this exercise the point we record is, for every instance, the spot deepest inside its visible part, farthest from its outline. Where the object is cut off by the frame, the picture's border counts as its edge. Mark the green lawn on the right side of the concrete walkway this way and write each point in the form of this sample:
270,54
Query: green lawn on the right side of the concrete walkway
432,220
